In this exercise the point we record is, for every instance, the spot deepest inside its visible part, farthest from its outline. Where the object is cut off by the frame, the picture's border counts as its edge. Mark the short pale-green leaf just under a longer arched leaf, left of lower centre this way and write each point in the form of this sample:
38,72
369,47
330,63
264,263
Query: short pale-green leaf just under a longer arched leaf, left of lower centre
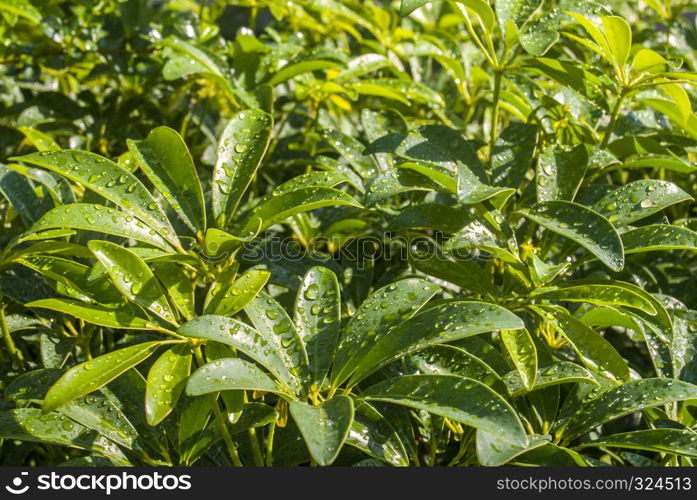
230,374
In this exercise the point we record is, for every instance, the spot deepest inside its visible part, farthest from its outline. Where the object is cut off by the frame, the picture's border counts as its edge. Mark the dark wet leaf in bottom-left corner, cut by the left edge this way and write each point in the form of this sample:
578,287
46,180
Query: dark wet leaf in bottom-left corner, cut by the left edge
29,424
